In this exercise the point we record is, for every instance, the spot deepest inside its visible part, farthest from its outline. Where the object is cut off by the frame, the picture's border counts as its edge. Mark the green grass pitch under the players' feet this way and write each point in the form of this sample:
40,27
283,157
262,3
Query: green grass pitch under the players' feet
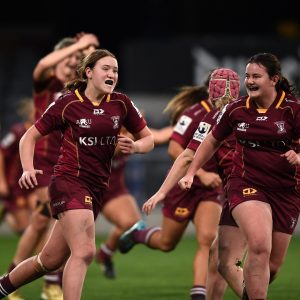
147,274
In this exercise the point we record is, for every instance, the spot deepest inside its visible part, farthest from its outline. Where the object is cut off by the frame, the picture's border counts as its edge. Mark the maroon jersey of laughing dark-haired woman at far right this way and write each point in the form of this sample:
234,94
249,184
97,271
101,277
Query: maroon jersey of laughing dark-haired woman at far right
262,136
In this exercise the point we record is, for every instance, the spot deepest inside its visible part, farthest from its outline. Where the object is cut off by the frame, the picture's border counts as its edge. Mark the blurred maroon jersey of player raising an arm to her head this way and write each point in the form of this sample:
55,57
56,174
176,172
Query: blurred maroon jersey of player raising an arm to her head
44,94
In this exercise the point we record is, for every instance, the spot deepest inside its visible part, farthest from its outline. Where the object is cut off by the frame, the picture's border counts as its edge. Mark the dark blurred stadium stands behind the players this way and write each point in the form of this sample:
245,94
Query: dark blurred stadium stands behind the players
160,45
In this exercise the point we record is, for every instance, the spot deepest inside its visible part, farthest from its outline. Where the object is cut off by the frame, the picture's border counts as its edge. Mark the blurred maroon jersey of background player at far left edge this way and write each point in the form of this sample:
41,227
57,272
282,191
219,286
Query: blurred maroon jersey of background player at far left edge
10,148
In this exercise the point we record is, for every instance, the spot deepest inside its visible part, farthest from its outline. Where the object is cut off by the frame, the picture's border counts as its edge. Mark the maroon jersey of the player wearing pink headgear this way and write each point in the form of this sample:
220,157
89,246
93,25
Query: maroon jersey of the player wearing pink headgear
225,152
